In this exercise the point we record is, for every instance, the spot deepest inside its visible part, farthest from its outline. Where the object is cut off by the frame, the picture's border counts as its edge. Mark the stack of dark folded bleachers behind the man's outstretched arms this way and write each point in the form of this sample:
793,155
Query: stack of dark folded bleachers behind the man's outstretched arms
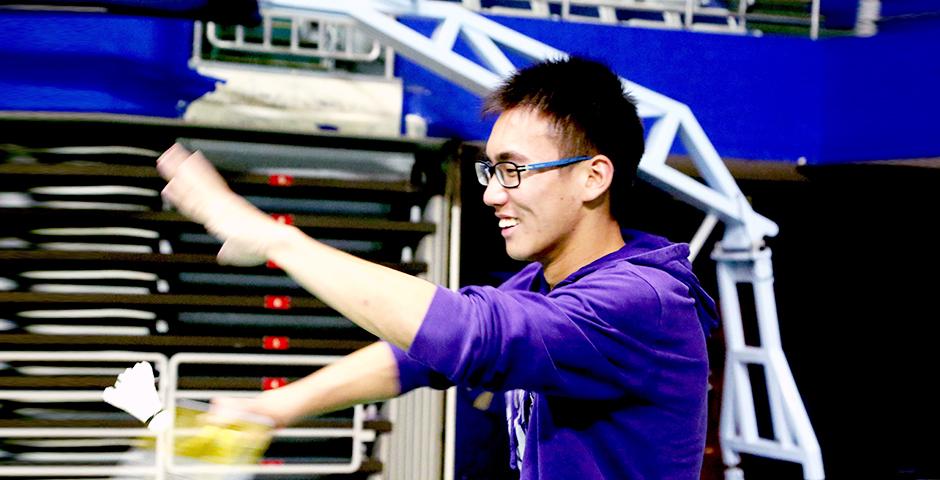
91,261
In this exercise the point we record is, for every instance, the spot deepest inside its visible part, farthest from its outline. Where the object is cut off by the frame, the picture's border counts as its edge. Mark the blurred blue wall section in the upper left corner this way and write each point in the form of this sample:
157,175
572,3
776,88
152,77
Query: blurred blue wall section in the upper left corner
97,63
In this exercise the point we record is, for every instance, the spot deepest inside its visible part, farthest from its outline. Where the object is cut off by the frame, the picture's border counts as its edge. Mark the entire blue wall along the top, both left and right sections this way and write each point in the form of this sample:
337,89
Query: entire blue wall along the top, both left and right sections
771,98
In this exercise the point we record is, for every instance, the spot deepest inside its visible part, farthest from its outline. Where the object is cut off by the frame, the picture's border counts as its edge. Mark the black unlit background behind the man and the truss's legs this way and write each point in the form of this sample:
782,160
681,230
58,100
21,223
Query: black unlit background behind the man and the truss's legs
856,288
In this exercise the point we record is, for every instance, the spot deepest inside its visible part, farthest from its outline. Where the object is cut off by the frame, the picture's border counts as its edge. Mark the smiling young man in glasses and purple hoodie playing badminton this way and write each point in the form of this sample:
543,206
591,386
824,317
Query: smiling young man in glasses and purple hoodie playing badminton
599,343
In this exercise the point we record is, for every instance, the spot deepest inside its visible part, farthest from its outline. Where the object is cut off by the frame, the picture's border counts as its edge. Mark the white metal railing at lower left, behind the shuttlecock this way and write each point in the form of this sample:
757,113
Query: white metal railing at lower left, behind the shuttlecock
163,460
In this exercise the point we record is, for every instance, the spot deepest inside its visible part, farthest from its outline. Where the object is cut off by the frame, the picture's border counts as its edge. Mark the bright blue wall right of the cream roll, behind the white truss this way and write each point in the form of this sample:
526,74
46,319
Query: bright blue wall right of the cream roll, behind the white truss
770,98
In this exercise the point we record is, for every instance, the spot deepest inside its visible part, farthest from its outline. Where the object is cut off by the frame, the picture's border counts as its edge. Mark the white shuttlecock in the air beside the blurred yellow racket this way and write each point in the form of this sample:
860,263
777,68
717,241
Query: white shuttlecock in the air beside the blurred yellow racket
135,393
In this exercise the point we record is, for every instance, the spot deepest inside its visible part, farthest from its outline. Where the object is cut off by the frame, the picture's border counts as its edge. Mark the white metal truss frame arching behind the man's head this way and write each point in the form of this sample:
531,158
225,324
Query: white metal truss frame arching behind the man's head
741,255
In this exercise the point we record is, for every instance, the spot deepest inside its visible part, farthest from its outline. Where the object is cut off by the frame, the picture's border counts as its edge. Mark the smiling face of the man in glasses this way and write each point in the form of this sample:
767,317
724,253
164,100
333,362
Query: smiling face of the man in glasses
537,217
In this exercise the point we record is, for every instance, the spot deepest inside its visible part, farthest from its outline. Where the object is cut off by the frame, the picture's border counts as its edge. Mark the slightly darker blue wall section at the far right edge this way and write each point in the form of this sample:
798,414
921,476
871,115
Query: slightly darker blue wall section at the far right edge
882,94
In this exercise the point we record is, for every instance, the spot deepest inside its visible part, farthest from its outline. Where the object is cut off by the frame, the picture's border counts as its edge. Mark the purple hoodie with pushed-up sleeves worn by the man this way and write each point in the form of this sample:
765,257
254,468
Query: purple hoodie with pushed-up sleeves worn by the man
612,360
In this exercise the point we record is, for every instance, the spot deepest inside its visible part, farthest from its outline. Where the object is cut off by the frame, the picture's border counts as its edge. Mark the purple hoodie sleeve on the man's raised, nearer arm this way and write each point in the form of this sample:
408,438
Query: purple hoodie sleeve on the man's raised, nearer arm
601,338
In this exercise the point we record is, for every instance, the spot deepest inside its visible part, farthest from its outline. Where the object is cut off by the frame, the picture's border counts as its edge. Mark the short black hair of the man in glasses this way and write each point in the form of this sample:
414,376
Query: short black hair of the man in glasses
591,114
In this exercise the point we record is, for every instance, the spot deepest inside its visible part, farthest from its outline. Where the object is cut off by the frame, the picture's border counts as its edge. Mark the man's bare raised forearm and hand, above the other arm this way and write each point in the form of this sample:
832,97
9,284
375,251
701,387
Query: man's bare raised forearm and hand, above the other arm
387,303
